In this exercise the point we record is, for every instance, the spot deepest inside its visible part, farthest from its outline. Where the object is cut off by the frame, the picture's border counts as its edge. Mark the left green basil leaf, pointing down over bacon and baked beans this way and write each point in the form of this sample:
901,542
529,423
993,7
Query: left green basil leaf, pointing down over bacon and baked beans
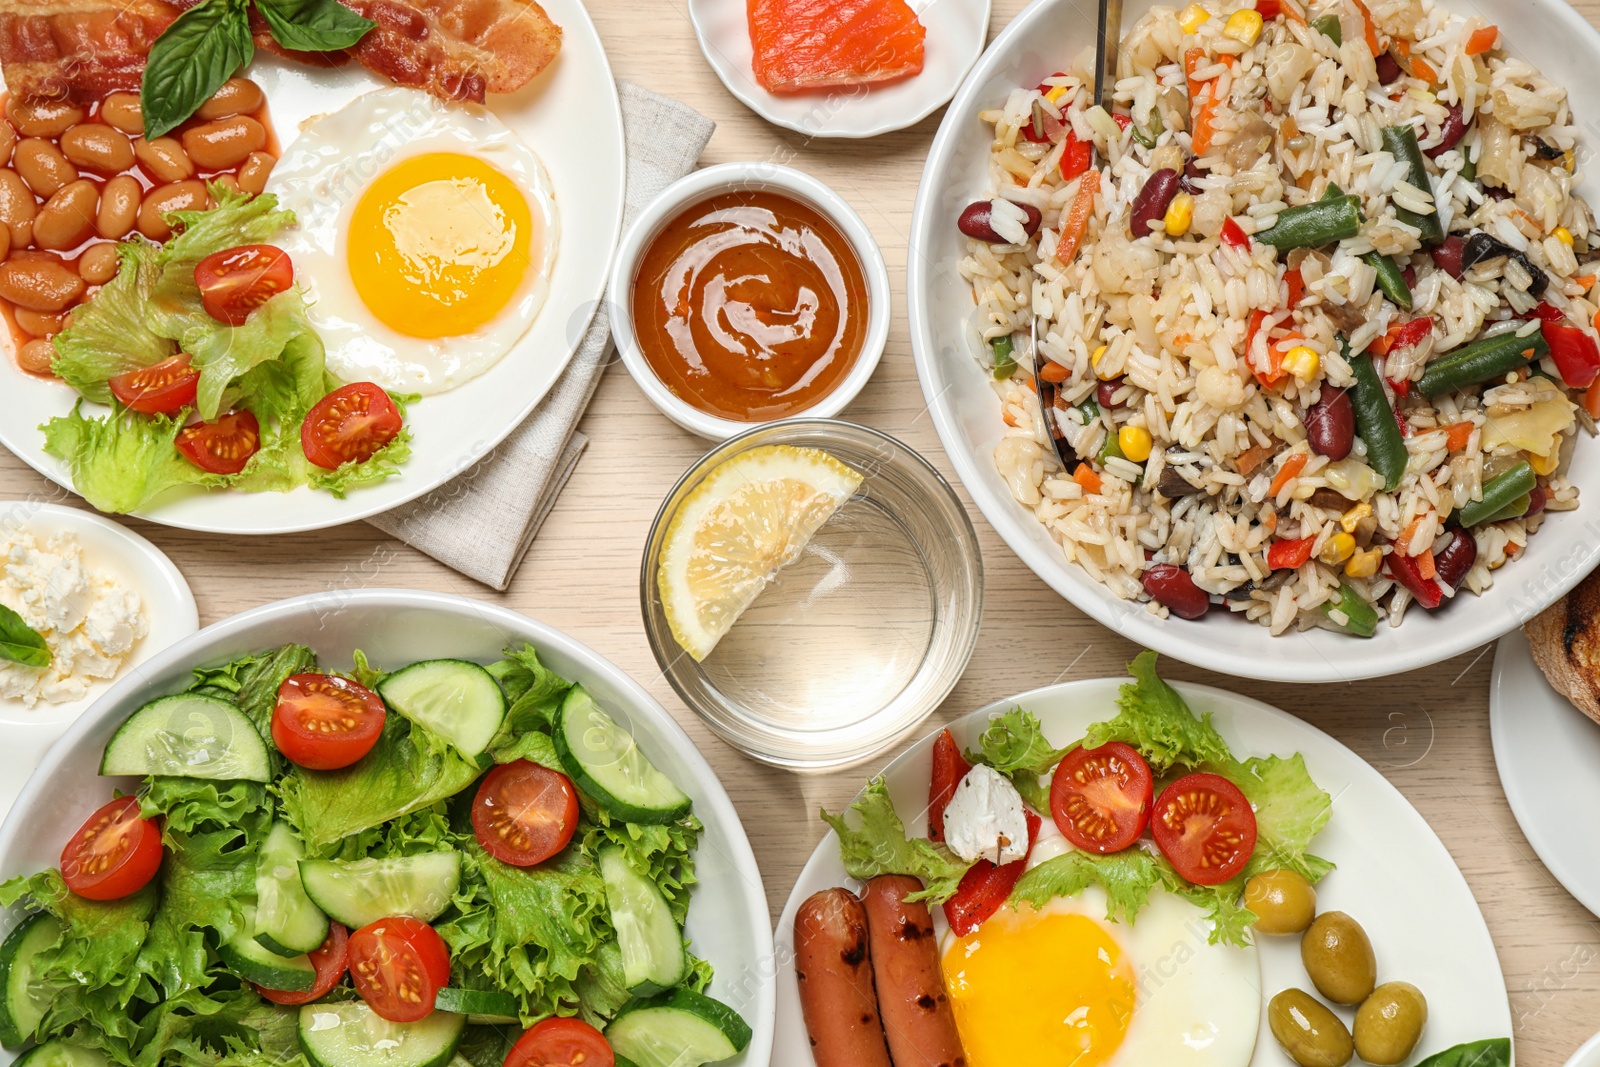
191,62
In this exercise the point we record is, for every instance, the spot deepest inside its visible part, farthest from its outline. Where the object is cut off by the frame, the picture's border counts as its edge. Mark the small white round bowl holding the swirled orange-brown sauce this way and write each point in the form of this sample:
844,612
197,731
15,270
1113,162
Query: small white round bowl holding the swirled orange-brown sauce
745,178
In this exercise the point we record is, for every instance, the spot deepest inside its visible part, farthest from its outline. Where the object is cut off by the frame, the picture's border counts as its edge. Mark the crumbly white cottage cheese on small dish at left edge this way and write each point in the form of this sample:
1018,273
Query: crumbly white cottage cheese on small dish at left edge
89,618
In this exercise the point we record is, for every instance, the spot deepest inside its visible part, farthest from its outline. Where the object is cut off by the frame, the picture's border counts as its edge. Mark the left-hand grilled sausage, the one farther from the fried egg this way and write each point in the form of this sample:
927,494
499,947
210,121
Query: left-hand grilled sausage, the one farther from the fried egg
836,981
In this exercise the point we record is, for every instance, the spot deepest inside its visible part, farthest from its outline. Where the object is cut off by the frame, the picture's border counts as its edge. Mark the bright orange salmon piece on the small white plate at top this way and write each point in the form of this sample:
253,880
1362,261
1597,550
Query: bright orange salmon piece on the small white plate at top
825,44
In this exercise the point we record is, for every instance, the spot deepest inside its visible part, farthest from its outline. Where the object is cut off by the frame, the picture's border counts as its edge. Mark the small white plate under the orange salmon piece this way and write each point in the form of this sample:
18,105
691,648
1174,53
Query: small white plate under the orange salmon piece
956,38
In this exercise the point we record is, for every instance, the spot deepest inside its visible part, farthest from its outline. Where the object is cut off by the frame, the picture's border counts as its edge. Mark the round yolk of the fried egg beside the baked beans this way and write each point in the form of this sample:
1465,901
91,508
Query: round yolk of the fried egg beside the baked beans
441,244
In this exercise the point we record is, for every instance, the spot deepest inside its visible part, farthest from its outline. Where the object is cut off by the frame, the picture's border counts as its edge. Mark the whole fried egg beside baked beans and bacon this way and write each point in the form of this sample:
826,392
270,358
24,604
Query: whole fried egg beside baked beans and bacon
426,238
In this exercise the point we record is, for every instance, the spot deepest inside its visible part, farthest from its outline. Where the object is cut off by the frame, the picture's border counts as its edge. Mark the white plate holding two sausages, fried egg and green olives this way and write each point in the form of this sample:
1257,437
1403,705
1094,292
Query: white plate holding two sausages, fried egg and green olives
1394,876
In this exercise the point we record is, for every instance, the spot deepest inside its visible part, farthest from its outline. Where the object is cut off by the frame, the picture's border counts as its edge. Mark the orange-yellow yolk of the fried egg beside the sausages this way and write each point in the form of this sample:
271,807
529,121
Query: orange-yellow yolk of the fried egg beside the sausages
1039,989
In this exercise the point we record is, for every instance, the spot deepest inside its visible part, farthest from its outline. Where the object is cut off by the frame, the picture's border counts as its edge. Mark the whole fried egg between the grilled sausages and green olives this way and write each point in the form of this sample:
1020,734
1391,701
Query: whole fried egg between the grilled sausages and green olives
1066,986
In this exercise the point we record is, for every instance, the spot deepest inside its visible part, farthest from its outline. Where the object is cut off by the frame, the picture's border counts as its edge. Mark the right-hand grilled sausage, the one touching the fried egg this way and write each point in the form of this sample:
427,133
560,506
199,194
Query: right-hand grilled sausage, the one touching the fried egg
918,1017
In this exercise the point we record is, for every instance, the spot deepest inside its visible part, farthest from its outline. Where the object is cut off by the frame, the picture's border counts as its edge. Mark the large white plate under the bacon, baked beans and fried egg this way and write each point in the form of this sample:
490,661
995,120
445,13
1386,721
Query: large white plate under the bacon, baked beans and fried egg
572,118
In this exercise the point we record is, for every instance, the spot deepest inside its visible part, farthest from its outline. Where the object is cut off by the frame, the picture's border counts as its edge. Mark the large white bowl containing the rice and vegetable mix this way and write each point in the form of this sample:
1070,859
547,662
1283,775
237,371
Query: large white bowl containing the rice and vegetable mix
1049,34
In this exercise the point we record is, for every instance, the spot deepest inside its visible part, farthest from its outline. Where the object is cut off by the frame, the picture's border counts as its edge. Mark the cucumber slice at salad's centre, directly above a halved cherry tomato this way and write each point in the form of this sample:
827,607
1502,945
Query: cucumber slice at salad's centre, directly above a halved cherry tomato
362,892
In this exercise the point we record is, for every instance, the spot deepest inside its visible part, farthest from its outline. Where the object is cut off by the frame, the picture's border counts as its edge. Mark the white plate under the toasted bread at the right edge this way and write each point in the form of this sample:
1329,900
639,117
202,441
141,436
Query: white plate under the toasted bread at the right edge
1546,753
